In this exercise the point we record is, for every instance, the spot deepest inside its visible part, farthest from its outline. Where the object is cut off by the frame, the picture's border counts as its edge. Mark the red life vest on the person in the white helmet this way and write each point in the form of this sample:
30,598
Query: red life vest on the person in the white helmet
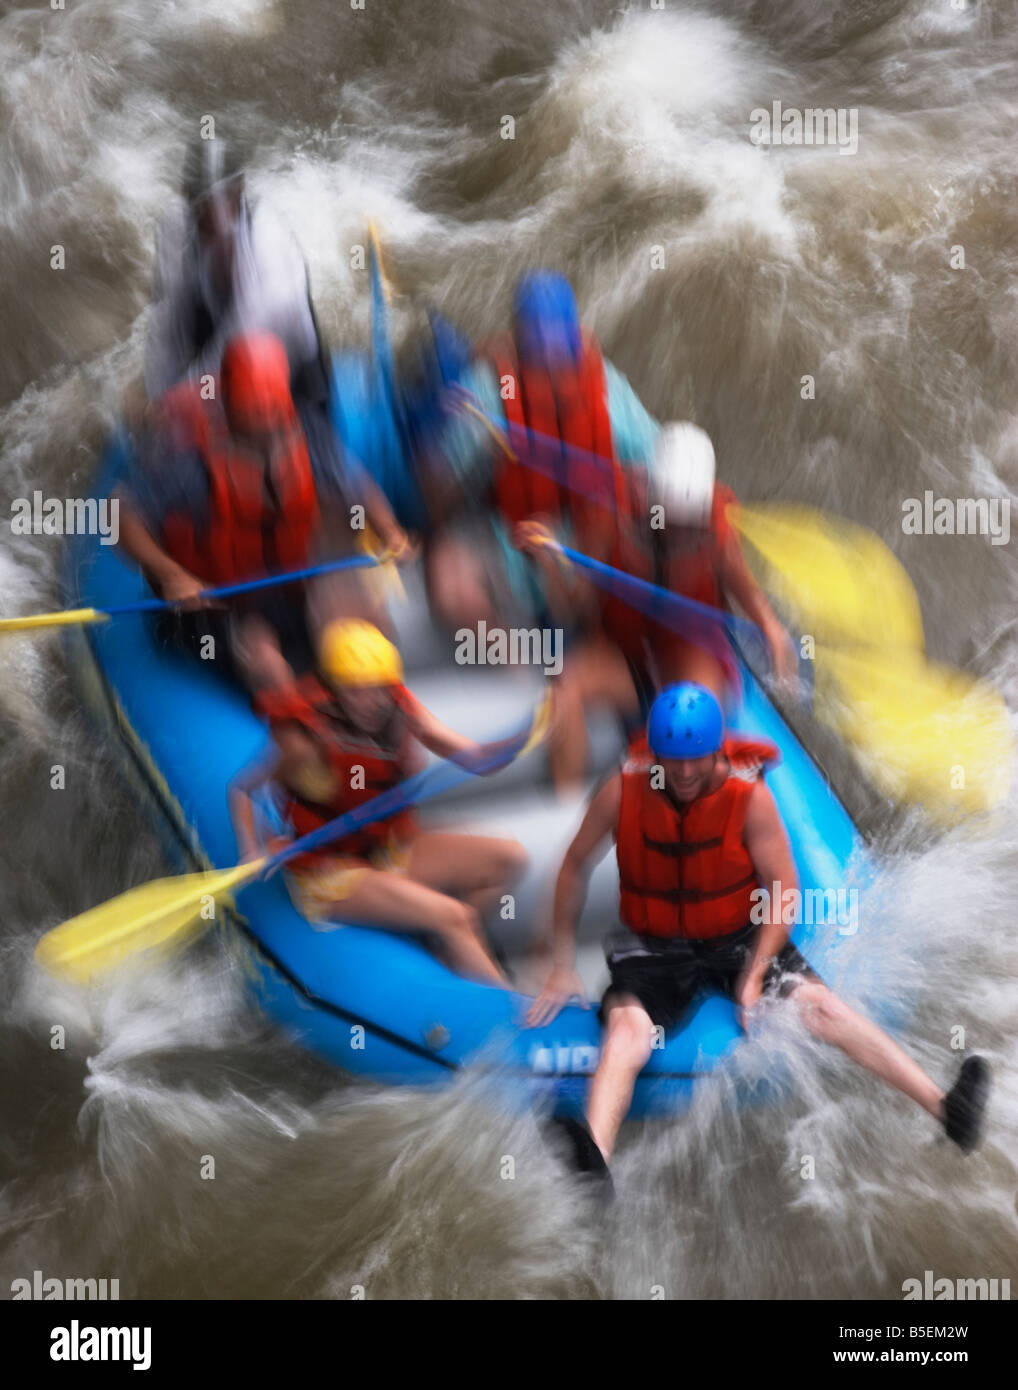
693,573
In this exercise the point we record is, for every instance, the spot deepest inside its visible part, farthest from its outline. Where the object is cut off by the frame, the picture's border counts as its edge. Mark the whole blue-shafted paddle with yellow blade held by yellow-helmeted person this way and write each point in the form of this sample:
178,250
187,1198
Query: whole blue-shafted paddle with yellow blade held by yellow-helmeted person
173,910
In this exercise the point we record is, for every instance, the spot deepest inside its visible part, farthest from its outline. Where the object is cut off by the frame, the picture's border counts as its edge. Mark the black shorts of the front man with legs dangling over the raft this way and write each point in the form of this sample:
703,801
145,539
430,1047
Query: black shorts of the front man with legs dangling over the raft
667,975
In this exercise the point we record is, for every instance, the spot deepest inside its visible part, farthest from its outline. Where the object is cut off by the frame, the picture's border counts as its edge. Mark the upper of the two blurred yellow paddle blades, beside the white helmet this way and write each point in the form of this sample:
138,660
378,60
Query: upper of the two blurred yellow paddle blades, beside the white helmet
841,580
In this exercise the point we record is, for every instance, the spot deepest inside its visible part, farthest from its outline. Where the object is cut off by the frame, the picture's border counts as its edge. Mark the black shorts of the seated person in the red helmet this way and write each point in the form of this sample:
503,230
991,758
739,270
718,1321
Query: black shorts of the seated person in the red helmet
286,612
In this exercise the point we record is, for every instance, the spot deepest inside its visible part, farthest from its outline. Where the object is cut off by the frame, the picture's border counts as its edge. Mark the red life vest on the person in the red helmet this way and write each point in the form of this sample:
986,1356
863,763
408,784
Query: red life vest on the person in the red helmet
262,518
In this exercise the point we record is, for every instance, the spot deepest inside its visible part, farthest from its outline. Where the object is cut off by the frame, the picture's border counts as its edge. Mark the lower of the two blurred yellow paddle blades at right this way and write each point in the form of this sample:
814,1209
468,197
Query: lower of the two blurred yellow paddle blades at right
924,733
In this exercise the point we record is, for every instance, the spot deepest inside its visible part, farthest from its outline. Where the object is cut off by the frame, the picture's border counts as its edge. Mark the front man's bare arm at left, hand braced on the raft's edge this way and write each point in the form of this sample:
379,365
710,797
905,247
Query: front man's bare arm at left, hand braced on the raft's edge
588,849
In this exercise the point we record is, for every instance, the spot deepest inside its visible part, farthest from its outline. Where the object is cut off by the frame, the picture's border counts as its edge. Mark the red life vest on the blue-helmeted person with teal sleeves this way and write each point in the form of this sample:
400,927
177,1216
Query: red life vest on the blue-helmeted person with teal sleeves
544,414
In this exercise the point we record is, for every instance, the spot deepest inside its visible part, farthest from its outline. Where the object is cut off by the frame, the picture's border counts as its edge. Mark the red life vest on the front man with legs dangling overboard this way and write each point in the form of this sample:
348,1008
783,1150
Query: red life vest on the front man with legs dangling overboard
685,872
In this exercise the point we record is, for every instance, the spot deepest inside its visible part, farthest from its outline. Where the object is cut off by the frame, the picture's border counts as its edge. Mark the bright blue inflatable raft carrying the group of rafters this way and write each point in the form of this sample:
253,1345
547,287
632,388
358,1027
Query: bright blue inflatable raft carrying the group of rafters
375,1003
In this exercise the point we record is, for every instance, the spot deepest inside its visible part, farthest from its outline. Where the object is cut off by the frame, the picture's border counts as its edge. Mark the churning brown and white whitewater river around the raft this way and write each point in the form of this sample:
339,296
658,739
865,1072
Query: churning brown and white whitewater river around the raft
717,275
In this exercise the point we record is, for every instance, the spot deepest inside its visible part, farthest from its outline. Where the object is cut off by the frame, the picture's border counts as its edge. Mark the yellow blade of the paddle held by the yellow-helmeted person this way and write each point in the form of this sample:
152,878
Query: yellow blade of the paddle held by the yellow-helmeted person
155,914
